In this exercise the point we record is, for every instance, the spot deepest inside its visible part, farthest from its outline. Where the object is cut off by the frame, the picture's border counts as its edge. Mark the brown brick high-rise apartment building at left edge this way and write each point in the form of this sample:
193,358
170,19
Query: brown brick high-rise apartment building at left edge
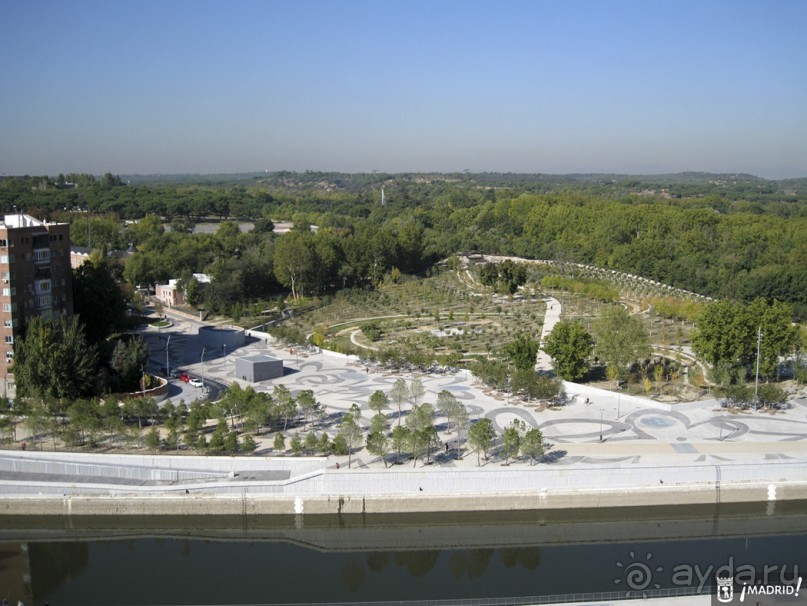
36,278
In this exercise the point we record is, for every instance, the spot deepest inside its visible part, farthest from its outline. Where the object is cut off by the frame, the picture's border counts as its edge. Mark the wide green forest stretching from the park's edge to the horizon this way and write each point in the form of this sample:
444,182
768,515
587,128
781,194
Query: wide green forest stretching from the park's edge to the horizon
736,237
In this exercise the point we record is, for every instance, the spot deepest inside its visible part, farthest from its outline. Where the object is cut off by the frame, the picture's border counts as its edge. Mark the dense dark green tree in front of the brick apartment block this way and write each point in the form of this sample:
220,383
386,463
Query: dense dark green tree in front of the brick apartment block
53,361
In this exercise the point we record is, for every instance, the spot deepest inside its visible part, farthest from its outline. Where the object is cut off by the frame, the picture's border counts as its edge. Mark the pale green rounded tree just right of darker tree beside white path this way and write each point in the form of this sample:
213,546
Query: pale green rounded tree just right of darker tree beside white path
620,338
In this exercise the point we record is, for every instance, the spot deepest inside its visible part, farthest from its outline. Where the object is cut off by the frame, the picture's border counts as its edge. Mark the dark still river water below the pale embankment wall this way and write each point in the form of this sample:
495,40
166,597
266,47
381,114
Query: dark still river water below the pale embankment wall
393,558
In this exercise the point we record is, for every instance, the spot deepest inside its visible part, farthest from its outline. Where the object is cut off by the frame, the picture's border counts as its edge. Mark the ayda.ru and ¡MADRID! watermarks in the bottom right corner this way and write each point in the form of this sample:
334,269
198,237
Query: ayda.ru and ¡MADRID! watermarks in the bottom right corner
640,575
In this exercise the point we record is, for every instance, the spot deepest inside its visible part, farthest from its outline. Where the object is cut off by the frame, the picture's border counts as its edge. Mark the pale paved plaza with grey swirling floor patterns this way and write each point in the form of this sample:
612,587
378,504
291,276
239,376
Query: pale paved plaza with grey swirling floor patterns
595,427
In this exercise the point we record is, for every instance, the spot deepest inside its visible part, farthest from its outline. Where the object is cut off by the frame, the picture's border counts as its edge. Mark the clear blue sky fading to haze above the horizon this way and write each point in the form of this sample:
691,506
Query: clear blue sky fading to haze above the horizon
566,86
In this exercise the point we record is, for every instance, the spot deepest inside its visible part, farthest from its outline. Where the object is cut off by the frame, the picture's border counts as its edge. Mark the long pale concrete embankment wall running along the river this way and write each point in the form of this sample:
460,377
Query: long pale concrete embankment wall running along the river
76,484
